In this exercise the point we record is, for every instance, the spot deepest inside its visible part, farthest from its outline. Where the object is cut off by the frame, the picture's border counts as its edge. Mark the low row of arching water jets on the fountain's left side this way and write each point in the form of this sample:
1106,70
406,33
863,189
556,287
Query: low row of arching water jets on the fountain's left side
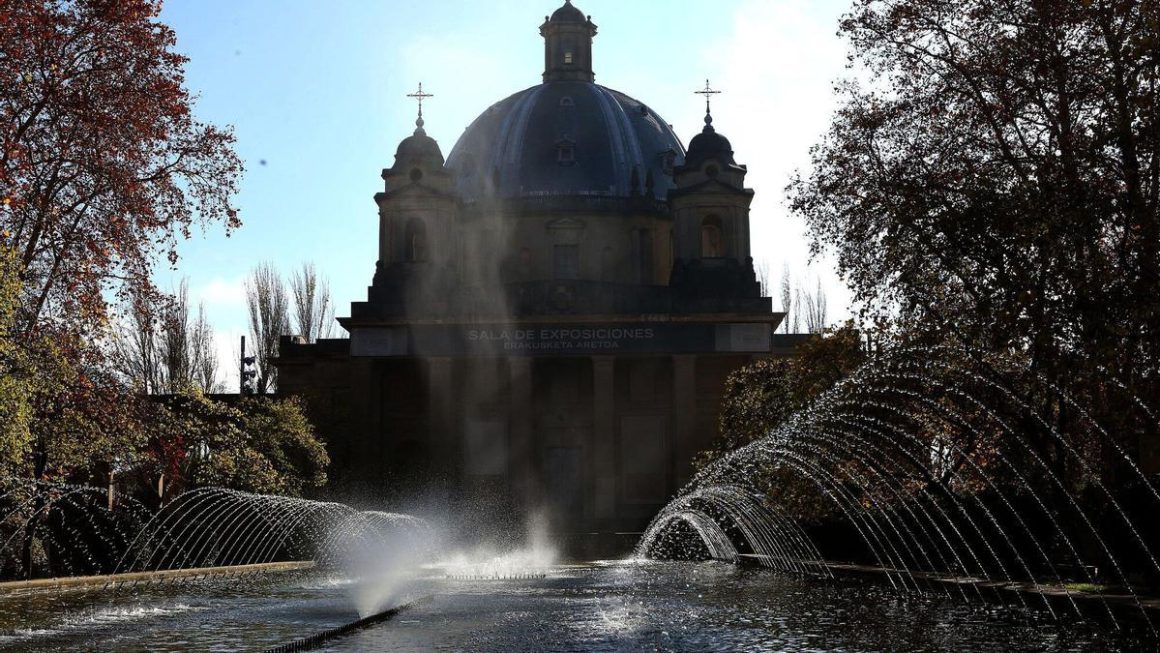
85,532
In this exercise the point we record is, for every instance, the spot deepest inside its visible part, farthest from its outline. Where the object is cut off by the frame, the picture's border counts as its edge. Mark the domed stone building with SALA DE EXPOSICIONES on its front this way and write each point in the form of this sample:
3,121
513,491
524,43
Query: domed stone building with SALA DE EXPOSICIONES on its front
554,311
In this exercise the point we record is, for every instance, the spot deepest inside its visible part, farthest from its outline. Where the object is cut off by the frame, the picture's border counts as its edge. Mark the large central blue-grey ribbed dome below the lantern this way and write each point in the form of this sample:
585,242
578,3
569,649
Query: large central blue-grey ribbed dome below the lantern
565,139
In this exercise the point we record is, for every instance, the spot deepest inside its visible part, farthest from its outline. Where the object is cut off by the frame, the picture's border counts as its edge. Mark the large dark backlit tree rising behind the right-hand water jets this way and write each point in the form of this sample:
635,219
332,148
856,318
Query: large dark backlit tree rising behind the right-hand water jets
996,183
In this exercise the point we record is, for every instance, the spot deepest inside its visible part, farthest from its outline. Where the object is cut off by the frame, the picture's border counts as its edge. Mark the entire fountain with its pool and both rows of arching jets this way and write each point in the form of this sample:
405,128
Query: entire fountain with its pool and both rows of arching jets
933,498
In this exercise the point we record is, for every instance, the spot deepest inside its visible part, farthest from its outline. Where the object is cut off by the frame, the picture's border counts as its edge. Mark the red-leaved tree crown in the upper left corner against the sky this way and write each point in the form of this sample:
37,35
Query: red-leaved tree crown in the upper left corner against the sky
103,165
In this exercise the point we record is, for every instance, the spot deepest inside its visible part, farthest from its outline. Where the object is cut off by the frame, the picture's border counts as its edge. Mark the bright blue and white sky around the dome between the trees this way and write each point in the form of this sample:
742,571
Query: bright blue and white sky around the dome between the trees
316,92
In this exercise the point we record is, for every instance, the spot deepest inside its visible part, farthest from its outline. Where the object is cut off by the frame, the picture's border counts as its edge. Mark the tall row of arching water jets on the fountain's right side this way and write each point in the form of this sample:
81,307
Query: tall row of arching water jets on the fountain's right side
949,476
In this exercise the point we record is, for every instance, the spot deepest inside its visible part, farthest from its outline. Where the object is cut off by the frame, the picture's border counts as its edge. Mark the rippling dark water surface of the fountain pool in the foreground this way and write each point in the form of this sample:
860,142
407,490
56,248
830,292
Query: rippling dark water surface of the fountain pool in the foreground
617,606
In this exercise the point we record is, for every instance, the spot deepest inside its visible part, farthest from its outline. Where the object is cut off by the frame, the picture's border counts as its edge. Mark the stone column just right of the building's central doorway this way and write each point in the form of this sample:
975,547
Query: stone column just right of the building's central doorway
604,441
